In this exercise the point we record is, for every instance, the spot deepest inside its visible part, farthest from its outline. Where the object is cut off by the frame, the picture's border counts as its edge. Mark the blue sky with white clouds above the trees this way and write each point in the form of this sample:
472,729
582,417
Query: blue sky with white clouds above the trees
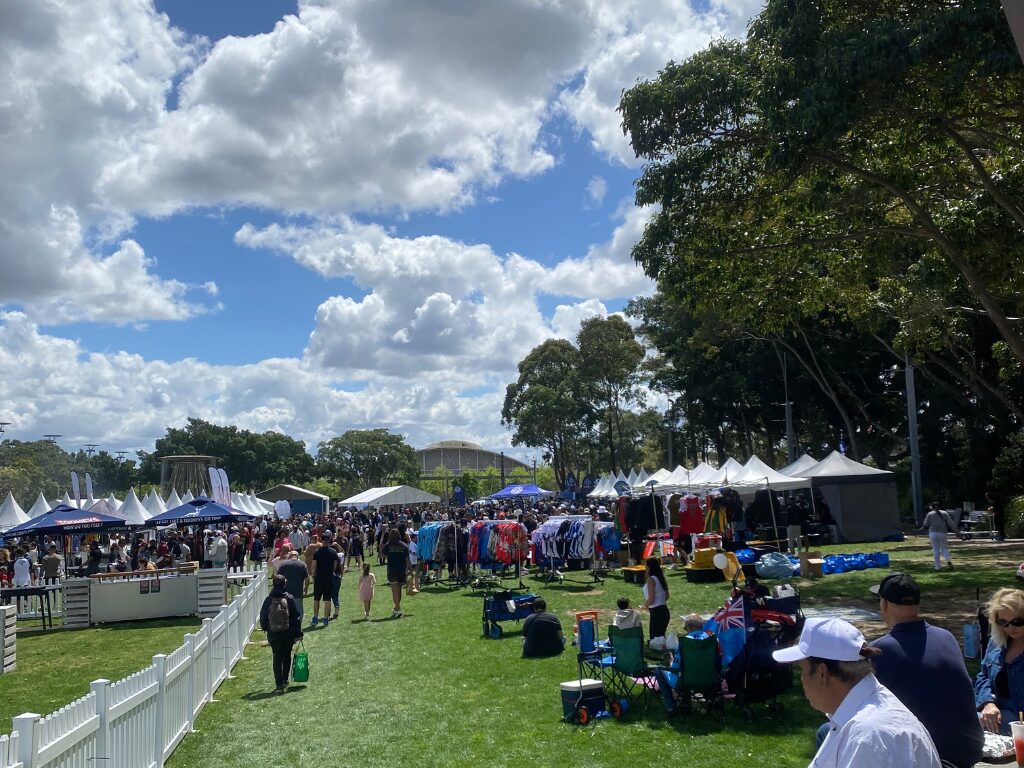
316,217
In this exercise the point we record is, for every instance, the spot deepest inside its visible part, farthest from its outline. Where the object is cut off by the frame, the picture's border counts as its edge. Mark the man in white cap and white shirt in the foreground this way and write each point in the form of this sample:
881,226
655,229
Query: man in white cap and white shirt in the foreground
869,727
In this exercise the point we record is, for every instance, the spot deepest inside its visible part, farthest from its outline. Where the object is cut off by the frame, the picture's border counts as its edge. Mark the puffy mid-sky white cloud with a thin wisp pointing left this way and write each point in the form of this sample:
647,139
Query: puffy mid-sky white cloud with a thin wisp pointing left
436,304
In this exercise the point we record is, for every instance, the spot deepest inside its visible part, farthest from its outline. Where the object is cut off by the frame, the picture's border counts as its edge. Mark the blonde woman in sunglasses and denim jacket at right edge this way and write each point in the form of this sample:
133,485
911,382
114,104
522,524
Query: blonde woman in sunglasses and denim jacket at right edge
999,689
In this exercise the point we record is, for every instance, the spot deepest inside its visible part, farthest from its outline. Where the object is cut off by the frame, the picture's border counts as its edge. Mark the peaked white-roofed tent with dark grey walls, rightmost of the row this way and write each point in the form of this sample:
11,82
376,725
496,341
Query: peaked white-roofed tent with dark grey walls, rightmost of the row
862,499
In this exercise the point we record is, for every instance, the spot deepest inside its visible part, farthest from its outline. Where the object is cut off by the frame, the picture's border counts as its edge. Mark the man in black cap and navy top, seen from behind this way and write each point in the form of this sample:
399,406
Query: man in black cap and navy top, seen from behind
924,667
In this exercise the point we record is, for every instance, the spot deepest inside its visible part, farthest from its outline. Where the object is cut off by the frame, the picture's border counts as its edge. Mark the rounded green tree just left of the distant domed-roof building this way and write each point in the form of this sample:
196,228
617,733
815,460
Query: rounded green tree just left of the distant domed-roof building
367,458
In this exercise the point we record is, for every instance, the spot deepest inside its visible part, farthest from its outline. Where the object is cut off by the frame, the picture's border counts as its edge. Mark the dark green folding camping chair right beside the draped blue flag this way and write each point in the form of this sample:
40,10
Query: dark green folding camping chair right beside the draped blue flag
696,682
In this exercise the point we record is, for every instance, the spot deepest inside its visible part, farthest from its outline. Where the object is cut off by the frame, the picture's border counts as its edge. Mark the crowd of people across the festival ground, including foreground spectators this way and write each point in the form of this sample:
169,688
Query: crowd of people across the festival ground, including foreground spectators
879,698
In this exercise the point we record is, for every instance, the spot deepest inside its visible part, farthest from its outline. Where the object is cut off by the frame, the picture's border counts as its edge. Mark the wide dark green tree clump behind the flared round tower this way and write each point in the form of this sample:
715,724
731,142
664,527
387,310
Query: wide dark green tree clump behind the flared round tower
251,460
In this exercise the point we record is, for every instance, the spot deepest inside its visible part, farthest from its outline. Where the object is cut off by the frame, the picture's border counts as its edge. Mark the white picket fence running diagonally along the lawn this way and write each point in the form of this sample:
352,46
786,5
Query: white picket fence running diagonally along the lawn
138,722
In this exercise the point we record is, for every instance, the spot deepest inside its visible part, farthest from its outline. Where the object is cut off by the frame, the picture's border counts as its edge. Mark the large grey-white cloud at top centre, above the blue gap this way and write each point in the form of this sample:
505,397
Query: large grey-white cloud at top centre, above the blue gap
361,106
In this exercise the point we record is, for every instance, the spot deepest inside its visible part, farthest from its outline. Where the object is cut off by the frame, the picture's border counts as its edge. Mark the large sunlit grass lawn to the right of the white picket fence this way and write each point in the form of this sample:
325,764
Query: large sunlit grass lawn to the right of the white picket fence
428,691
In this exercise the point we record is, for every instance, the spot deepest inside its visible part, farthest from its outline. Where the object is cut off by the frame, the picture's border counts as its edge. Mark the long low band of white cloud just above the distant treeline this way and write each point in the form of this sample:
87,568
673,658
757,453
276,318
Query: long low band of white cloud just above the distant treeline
122,401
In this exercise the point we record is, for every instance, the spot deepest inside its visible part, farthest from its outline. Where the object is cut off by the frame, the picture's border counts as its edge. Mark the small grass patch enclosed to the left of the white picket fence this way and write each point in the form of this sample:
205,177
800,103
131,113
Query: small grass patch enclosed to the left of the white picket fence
56,668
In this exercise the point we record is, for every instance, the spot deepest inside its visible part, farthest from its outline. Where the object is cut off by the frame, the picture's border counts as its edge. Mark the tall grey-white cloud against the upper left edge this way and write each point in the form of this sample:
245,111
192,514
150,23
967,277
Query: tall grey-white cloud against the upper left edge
76,79
